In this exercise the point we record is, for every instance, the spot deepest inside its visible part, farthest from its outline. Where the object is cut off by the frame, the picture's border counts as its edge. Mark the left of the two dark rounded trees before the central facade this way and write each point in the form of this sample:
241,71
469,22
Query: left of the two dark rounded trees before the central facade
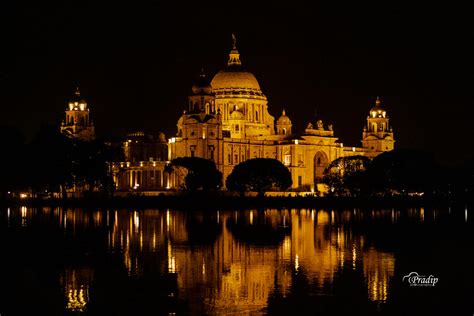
200,173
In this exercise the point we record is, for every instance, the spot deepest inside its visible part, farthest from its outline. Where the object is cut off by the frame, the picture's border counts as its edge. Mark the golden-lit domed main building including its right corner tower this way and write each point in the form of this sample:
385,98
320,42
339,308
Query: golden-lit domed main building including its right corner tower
228,122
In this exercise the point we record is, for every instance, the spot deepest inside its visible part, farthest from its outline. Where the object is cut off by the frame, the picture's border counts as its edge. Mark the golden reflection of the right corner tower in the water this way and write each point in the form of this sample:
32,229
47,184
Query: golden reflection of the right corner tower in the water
379,268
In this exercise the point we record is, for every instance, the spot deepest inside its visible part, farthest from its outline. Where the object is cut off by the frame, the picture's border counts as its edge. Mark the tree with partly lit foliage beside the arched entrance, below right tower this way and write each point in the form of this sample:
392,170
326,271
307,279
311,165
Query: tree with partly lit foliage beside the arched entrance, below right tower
346,175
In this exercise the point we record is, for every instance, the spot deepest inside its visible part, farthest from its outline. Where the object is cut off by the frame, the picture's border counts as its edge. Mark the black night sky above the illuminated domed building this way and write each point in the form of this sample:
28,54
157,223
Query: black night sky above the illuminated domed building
135,63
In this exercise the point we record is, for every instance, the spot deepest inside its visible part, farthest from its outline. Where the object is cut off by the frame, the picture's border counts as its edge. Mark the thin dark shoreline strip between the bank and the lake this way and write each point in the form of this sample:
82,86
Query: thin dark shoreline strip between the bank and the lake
210,201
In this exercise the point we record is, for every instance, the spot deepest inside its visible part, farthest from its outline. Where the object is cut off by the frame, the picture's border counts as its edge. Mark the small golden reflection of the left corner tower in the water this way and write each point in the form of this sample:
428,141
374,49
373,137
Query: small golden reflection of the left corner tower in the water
76,283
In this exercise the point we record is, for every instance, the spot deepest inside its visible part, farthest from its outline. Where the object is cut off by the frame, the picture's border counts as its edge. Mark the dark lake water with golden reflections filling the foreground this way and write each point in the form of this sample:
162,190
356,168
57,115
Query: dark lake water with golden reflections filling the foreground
57,261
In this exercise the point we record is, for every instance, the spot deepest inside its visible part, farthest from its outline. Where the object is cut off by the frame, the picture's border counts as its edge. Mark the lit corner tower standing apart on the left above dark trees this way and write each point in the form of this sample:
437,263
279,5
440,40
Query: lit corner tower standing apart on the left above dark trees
77,123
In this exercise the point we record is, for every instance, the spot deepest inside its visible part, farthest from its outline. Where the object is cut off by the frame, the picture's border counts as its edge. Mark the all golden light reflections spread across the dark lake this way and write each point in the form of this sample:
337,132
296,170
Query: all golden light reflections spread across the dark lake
234,261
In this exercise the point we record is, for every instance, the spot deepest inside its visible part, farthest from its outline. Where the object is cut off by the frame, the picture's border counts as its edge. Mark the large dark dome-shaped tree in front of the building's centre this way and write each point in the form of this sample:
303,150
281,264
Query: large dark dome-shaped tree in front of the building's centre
259,175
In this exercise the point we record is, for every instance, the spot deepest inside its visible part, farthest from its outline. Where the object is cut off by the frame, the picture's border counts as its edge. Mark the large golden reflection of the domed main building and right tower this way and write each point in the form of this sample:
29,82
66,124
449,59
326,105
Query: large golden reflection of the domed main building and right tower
239,276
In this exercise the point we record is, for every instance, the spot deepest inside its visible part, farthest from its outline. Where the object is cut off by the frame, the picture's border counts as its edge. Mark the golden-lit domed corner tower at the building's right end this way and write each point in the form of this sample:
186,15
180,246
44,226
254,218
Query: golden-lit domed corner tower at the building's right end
377,136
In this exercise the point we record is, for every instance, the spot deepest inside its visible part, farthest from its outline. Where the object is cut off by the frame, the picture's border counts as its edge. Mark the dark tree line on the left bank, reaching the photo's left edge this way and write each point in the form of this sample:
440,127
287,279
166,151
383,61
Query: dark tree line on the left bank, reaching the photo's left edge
52,163
